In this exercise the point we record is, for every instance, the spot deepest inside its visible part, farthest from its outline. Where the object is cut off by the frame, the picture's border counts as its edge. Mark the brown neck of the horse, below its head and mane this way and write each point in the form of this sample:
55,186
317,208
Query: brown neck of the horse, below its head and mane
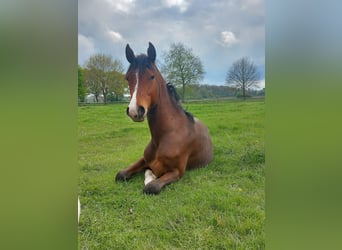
165,116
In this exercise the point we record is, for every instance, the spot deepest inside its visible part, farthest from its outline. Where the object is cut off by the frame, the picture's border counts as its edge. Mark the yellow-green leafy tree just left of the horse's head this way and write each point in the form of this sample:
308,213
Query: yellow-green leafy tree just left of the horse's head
101,75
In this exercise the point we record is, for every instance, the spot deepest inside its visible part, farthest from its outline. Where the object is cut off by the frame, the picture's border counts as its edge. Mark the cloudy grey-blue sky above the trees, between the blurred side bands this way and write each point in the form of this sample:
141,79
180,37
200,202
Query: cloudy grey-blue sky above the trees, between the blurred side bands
218,31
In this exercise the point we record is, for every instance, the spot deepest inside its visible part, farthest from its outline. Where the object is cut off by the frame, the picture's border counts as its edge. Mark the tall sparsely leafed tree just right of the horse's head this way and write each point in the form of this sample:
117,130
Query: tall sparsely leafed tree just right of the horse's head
182,67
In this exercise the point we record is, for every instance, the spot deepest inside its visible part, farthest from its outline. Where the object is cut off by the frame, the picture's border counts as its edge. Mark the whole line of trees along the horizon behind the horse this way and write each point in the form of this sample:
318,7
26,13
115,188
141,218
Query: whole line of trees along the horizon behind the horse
103,77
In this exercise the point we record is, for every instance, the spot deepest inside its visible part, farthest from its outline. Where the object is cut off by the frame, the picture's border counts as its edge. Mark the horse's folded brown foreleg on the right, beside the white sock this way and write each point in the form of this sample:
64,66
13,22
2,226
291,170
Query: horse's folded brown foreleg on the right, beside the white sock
155,186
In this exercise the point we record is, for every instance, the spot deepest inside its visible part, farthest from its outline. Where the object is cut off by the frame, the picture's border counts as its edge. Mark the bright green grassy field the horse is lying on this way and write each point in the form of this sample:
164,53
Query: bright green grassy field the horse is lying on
221,206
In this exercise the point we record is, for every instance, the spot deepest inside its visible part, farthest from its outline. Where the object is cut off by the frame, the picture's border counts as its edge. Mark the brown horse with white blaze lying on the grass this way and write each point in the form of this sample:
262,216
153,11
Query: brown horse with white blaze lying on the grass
179,141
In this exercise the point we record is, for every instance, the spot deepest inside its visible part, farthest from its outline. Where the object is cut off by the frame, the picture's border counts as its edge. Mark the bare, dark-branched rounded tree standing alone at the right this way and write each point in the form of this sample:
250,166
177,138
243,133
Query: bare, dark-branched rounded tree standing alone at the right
243,74
